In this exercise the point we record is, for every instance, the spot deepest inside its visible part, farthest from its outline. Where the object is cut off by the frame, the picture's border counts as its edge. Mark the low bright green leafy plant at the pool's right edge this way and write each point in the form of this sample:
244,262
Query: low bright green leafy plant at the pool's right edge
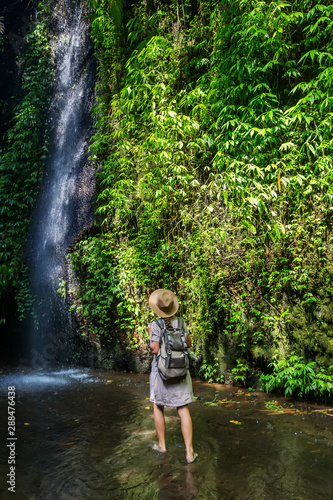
295,377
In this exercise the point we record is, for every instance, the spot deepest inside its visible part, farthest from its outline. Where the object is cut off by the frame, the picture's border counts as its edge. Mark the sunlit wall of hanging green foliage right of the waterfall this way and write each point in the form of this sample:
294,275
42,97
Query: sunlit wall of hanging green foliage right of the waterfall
214,142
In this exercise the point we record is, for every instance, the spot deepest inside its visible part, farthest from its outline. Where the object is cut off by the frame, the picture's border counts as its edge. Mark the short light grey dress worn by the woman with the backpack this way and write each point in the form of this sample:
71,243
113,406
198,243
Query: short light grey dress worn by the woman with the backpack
165,393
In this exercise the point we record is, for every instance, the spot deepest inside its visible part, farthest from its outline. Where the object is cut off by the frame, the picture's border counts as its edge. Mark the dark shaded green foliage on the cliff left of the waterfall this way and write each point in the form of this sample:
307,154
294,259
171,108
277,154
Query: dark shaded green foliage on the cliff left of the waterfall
23,156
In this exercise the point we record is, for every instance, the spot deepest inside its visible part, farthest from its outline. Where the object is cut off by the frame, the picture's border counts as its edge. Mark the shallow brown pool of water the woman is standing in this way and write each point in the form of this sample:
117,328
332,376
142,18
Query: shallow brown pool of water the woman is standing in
89,438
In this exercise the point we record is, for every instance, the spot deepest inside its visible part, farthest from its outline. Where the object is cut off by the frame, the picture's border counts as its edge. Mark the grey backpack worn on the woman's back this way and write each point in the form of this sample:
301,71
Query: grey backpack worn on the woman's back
172,359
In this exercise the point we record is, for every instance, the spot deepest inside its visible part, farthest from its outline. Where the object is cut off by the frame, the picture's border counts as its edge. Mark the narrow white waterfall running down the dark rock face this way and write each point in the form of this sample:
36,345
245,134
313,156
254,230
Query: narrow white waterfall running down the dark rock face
64,206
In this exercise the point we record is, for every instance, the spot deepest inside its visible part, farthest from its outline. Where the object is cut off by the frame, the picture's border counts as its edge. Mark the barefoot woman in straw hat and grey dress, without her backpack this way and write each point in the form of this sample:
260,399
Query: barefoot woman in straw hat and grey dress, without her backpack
165,304
